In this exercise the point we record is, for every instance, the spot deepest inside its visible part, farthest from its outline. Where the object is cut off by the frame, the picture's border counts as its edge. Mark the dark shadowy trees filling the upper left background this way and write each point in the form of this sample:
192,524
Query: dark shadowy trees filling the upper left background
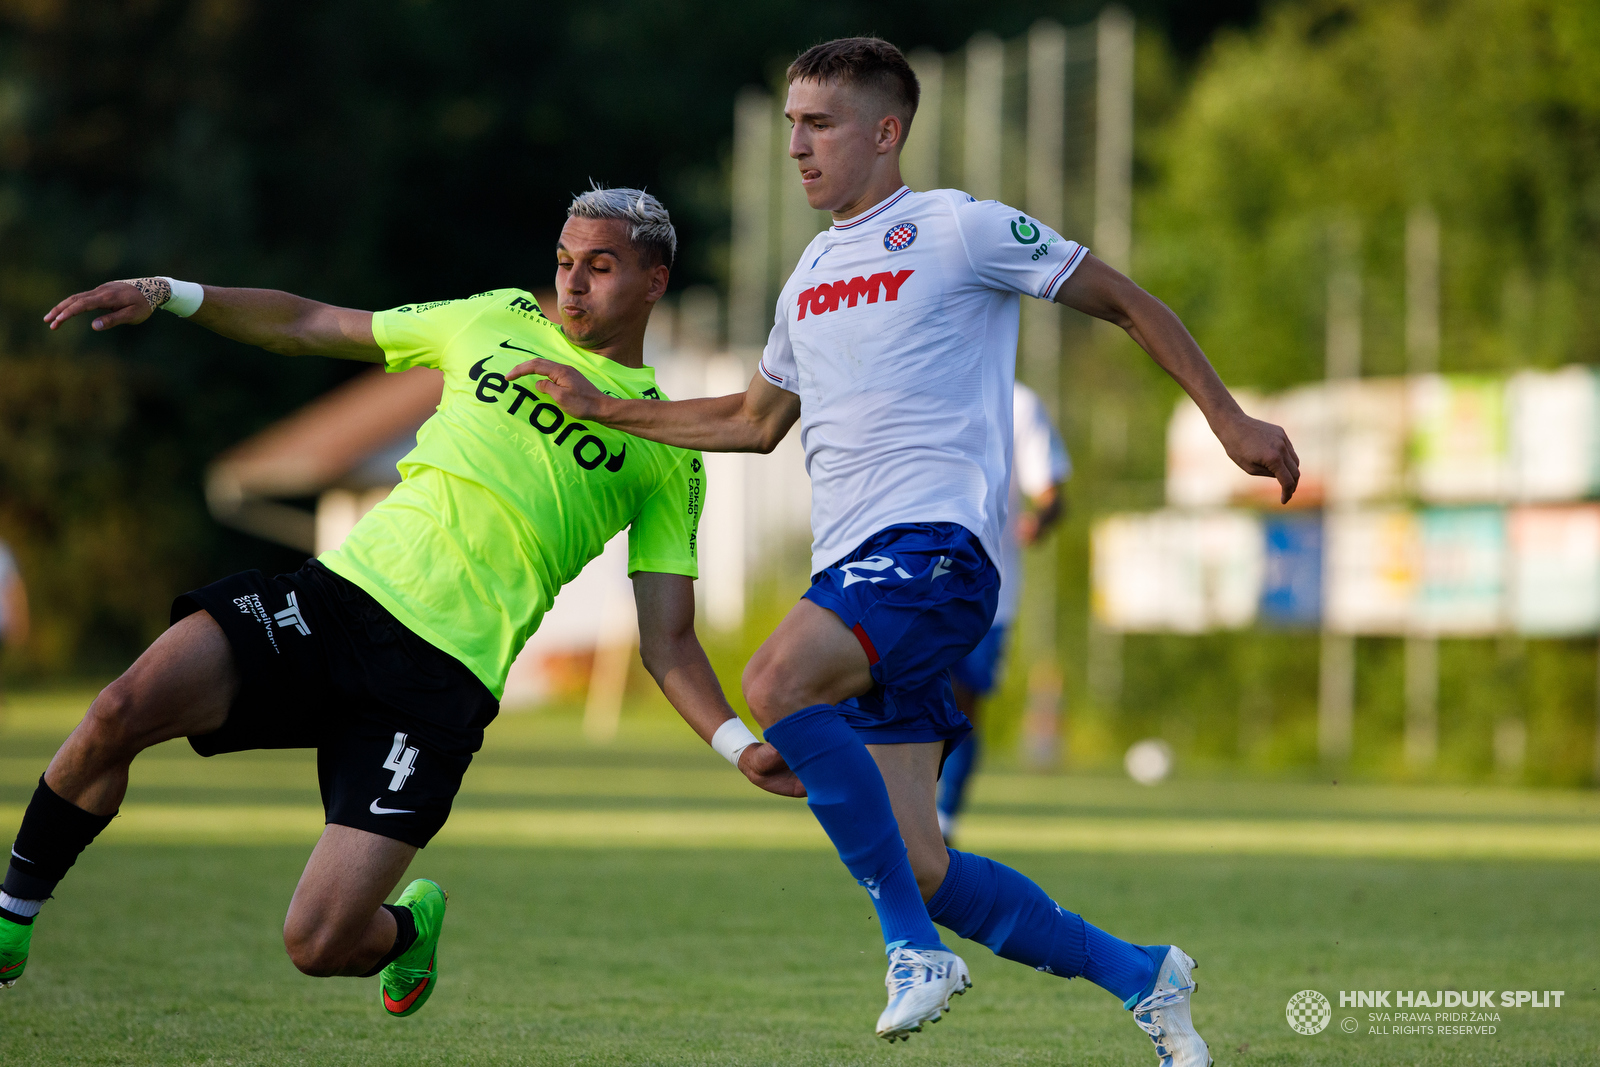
353,151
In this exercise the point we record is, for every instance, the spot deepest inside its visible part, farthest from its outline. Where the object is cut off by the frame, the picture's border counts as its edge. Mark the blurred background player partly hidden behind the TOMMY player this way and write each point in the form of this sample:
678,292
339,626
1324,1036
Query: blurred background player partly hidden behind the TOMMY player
1039,468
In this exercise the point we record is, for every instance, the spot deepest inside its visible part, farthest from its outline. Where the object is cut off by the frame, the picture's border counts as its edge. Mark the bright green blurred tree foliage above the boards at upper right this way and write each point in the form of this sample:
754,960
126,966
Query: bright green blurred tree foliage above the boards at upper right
1489,111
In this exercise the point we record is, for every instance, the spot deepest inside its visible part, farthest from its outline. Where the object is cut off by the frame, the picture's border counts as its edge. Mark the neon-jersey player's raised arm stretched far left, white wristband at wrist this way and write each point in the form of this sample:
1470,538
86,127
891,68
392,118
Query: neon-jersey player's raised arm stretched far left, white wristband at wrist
270,319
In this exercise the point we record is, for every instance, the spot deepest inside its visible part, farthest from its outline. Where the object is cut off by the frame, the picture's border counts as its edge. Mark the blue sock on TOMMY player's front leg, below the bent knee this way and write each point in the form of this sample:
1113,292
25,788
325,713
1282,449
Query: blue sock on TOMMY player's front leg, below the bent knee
847,796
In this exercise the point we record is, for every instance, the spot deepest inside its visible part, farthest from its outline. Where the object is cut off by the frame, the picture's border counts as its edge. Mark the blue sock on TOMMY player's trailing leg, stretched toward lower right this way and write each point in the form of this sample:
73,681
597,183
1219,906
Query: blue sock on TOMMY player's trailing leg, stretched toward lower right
999,908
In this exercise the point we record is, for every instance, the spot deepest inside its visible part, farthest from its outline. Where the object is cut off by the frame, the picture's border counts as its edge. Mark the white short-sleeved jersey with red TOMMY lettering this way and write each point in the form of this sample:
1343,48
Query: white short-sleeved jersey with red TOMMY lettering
898,334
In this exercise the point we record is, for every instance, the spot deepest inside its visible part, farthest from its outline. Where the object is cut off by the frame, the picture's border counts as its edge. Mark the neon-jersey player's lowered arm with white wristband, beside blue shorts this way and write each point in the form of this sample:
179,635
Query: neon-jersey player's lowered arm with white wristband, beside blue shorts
674,658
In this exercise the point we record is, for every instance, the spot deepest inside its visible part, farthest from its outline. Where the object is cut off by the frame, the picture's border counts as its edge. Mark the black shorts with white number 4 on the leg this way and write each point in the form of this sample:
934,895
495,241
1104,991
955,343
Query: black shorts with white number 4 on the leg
324,666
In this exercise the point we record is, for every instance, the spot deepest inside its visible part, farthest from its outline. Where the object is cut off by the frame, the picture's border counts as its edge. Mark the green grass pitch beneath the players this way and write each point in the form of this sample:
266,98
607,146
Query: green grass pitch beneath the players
641,905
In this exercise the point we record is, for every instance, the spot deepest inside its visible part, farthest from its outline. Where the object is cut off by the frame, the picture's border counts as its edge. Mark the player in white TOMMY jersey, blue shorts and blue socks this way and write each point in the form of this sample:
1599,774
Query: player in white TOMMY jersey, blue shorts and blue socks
895,348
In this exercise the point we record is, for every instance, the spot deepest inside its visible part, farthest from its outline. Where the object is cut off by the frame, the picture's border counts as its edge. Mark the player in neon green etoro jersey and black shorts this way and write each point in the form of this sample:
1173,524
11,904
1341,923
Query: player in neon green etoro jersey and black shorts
390,653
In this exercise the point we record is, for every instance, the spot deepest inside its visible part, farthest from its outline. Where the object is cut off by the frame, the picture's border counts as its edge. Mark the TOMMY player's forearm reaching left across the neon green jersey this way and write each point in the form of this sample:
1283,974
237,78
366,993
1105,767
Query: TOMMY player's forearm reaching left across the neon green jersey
753,422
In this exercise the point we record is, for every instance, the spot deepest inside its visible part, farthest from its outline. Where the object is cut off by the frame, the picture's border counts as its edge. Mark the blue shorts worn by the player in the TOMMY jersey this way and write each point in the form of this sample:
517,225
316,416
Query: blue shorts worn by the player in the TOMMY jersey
919,597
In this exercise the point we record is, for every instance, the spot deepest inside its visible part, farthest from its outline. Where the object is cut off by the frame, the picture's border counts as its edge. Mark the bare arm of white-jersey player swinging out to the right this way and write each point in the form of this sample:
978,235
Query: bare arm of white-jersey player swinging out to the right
1257,447
